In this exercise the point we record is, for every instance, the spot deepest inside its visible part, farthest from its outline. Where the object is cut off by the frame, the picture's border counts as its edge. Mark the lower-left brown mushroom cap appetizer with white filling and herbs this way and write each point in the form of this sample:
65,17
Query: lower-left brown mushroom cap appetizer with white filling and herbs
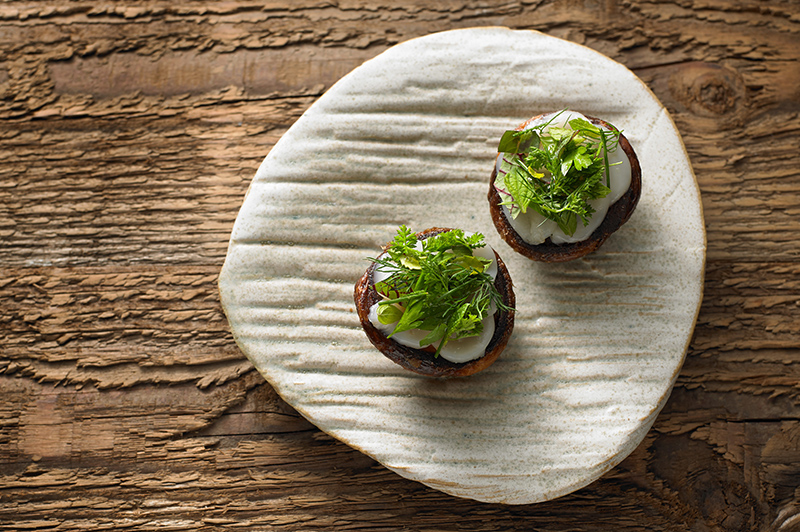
439,302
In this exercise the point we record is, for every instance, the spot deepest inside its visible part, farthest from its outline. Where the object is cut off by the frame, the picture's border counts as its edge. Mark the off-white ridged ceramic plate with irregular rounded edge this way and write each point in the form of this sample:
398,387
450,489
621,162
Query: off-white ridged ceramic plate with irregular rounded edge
410,138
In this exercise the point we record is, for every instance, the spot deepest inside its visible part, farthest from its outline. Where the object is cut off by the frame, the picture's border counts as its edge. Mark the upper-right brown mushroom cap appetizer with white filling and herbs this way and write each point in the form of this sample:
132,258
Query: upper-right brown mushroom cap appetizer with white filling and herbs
562,183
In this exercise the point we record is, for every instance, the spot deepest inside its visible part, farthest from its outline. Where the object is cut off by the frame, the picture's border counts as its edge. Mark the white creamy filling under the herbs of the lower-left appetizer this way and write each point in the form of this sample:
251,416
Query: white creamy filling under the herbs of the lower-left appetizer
457,351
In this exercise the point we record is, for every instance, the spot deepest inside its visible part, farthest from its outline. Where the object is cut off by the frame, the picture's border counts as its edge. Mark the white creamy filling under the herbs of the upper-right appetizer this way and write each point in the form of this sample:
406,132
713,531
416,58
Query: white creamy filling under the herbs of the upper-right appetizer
535,228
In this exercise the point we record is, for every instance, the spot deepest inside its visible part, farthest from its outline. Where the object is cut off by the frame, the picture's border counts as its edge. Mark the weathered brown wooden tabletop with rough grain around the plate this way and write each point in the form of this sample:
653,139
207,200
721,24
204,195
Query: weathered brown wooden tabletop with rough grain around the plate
130,132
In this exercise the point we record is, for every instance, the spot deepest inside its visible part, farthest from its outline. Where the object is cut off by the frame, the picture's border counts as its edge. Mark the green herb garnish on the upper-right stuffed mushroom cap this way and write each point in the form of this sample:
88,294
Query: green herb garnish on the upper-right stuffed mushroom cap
556,171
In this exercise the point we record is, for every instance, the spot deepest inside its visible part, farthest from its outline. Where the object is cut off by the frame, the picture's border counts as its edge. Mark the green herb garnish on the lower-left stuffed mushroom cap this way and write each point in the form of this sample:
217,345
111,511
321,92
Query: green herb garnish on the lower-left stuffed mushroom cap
438,286
